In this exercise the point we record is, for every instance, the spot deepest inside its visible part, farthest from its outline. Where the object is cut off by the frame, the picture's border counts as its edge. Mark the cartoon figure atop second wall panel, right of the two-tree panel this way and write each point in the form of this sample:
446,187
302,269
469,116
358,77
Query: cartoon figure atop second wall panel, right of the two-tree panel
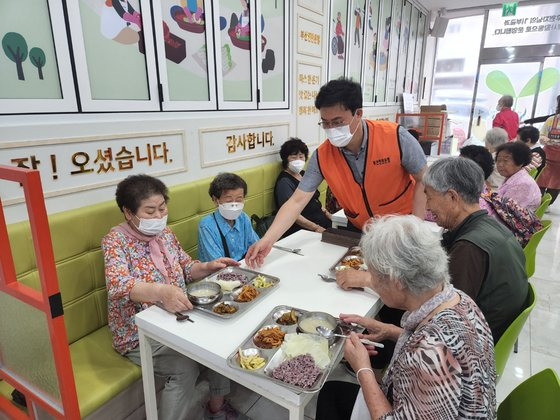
117,20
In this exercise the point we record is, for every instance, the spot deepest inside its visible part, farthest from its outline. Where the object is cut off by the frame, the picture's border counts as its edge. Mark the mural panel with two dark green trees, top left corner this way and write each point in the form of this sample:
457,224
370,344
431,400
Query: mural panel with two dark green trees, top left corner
27,61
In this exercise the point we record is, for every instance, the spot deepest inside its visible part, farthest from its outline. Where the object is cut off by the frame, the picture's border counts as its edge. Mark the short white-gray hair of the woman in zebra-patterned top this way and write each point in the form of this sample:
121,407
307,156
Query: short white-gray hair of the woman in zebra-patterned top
403,248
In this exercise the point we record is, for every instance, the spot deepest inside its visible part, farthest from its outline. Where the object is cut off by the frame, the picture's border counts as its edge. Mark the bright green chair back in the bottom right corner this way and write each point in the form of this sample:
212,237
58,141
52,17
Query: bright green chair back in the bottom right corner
535,398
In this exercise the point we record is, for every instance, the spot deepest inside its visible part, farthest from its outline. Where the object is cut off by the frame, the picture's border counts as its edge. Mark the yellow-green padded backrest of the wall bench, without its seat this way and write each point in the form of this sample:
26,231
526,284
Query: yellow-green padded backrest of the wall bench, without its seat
76,236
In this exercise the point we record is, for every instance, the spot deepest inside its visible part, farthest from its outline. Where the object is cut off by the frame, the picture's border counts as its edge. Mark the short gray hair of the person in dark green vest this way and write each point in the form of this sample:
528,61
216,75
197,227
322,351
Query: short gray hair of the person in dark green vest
456,173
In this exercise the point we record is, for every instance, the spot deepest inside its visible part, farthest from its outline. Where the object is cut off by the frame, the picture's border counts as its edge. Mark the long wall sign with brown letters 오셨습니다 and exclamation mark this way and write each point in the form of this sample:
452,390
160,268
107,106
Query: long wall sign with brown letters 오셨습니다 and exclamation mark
77,164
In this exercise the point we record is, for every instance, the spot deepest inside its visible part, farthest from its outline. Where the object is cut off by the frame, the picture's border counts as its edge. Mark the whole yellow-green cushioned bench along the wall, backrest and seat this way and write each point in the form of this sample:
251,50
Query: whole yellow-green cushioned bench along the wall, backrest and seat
101,373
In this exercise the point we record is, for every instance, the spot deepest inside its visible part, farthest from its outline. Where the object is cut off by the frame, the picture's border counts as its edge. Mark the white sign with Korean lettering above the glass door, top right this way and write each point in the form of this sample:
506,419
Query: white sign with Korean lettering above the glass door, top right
528,25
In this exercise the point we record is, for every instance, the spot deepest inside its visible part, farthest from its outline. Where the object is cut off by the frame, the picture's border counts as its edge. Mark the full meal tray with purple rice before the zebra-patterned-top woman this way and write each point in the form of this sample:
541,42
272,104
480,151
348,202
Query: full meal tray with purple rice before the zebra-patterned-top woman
286,349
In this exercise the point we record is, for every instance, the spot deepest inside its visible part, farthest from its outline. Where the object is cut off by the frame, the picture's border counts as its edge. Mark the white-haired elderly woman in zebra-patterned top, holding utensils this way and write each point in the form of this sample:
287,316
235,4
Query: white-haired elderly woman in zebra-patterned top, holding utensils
443,364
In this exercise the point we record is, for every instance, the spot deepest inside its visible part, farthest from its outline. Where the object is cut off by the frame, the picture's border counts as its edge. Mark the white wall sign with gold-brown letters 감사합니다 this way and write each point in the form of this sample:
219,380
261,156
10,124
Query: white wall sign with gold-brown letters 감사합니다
219,145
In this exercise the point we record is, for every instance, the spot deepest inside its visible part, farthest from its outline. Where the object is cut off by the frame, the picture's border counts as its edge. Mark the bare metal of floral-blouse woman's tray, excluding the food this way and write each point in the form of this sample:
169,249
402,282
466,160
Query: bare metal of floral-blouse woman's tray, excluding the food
227,296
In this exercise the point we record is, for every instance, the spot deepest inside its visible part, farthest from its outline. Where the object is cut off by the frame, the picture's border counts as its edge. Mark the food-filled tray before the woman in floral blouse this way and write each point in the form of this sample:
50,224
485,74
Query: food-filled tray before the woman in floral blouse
230,291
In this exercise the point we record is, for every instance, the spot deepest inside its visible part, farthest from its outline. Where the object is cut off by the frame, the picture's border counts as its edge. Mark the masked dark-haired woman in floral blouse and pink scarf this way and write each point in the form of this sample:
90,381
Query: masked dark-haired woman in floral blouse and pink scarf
145,264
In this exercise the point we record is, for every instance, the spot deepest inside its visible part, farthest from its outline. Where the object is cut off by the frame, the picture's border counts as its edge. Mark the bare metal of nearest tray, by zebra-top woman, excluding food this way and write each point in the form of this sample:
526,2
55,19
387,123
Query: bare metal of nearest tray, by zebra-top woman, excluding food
275,356
